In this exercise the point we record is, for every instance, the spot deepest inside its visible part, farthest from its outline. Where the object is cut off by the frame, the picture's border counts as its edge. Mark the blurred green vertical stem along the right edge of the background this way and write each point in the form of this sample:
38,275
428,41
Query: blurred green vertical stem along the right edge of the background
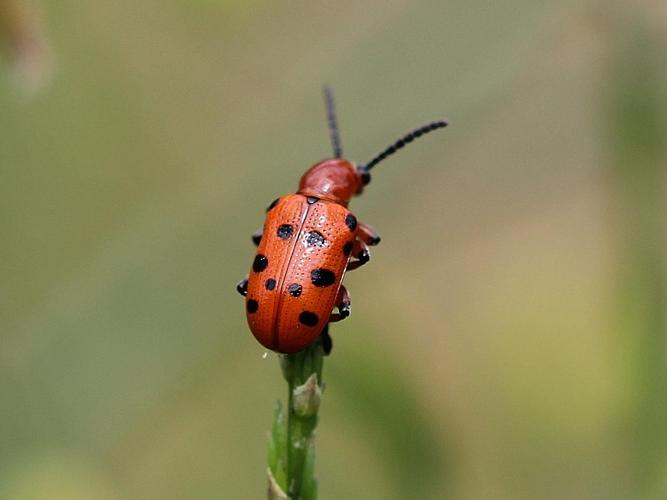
637,130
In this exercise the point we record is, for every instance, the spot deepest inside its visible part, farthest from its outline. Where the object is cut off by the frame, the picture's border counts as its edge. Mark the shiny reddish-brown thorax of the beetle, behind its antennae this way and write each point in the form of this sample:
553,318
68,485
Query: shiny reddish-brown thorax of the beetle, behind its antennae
336,180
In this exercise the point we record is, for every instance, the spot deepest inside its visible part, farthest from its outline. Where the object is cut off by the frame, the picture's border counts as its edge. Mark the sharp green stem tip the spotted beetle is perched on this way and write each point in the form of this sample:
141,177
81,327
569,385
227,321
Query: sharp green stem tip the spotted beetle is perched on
291,445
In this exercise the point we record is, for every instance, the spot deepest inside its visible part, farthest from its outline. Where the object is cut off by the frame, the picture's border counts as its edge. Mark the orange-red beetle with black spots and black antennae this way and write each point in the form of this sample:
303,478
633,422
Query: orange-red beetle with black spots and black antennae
308,241
